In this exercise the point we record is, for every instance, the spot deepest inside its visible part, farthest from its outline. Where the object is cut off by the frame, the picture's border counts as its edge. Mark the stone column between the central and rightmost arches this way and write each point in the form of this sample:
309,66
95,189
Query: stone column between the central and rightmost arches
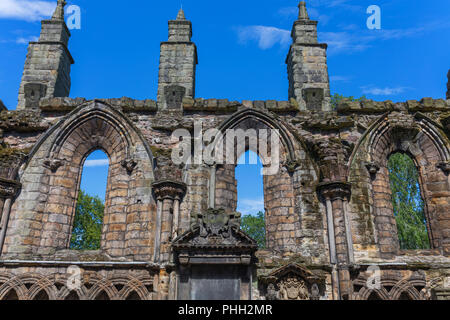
336,196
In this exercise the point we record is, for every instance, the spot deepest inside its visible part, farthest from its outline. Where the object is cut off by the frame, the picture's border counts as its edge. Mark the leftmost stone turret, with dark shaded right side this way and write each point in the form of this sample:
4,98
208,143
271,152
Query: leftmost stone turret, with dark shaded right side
46,72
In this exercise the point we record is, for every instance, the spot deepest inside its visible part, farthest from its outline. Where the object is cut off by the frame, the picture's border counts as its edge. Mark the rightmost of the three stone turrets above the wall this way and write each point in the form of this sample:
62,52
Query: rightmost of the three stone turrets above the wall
307,65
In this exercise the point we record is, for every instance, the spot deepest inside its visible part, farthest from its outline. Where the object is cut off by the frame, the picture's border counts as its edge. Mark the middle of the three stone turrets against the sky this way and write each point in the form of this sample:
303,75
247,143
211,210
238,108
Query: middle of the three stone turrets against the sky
177,64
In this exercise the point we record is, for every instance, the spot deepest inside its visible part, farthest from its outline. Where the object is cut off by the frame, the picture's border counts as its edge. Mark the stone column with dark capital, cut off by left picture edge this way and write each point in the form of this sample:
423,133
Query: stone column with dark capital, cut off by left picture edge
8,191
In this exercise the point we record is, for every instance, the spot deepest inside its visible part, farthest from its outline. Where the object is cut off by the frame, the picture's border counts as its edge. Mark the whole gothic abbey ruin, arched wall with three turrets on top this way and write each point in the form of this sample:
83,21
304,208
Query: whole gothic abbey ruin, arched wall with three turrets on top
171,232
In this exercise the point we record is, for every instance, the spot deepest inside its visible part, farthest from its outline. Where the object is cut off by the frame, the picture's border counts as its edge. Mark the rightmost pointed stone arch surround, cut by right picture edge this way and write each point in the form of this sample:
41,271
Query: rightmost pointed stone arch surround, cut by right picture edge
371,206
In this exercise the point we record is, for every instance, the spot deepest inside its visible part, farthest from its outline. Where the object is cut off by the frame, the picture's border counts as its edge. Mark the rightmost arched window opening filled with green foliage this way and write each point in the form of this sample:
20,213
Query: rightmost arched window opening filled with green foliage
409,207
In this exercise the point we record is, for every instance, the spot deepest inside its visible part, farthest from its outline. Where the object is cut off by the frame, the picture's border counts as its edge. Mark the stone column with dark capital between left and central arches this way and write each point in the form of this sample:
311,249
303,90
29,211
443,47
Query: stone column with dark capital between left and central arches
168,196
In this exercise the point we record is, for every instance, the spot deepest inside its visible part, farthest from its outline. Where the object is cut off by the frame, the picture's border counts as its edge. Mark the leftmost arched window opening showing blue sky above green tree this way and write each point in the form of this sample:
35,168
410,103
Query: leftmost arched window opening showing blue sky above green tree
88,221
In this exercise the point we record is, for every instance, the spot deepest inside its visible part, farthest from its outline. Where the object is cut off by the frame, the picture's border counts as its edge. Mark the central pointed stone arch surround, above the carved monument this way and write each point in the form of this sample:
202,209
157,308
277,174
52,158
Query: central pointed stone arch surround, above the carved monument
287,192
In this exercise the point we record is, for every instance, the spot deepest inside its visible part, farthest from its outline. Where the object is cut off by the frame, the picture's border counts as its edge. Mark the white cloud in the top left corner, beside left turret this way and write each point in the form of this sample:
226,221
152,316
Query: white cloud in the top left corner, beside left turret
26,9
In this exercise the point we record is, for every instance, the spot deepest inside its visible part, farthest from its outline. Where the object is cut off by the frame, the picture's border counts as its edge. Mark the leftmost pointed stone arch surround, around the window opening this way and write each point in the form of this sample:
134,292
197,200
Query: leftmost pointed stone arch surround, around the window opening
51,181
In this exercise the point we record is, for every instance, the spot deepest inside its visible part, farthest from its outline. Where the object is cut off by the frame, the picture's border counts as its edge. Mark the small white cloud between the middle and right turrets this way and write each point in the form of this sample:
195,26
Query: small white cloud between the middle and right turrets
266,36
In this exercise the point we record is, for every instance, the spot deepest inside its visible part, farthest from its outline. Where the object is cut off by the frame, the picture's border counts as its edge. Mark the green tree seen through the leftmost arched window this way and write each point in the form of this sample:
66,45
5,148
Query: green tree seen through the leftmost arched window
87,227
